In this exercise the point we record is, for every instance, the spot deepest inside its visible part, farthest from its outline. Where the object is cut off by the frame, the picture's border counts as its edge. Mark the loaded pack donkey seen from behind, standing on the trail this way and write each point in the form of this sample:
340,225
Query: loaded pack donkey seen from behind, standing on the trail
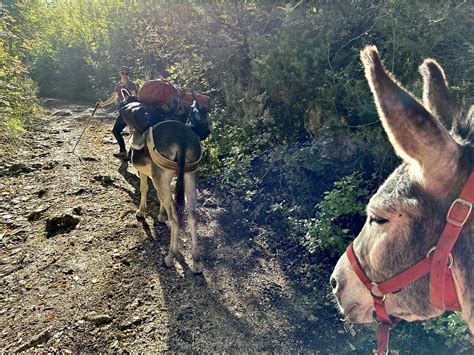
170,148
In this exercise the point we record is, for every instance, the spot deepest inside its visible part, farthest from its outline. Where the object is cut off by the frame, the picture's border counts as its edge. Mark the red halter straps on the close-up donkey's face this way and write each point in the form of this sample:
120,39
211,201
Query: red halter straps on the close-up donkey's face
437,262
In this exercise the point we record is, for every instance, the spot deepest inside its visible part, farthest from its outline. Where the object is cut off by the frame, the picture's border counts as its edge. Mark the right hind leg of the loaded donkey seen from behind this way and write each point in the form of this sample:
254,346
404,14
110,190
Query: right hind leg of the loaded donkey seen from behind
191,198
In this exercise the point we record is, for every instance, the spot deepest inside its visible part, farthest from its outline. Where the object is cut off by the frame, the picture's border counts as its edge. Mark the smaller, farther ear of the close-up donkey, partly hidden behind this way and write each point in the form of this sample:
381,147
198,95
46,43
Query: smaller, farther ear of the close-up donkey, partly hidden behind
437,97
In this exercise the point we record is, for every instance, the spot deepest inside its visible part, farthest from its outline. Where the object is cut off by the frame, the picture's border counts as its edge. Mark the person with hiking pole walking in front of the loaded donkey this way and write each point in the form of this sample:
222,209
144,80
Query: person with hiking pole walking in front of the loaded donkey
120,124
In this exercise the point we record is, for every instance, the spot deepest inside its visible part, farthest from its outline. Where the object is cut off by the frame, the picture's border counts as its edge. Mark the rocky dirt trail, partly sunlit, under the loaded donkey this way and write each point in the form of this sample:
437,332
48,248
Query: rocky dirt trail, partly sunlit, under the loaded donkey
99,286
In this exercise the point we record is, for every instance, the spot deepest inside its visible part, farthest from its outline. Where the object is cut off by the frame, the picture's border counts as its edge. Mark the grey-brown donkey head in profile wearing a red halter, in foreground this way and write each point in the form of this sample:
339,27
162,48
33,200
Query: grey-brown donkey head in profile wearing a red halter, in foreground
403,264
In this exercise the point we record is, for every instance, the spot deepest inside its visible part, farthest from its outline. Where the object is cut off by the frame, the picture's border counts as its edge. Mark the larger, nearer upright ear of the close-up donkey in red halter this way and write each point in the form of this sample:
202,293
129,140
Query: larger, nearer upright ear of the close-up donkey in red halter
418,138
